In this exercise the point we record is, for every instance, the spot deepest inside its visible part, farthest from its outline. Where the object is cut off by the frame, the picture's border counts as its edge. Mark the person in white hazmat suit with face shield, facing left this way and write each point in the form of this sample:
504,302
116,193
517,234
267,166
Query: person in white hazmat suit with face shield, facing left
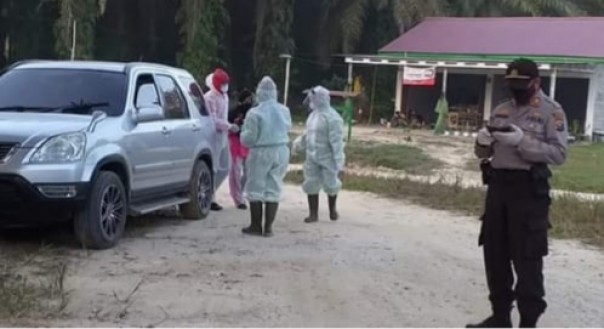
323,142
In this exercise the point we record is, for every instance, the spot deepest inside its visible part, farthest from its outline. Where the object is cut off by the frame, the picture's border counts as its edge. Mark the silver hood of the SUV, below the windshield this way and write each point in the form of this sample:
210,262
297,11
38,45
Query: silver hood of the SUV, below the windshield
28,129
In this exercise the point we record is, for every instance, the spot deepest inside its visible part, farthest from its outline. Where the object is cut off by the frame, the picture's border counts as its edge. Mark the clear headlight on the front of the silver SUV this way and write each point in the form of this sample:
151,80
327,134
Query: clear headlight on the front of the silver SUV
61,149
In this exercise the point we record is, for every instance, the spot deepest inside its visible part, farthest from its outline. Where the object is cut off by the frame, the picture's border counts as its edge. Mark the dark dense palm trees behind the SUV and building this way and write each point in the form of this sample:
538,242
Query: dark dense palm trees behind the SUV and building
244,36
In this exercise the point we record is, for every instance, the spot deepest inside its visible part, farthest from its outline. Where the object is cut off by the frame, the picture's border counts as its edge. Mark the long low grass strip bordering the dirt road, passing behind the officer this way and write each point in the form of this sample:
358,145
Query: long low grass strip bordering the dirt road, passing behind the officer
571,218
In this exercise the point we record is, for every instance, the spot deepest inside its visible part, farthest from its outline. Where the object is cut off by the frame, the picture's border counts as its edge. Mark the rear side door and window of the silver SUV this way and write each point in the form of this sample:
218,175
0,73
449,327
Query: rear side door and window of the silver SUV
184,131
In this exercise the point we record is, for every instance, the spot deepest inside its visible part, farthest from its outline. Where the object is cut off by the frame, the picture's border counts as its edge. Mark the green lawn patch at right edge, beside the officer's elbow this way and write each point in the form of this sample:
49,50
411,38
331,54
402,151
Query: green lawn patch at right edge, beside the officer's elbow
582,171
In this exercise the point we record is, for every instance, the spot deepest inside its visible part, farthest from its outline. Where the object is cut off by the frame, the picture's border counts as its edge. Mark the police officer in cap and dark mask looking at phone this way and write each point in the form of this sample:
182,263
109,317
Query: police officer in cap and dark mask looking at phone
524,136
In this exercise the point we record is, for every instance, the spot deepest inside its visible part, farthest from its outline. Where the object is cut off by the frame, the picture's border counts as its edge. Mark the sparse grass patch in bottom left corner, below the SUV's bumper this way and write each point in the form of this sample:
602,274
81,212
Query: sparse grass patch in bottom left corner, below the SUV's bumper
32,284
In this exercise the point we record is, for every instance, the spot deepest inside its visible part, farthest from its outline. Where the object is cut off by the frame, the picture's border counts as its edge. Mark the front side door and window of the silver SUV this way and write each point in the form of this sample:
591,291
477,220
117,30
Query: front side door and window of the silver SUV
146,145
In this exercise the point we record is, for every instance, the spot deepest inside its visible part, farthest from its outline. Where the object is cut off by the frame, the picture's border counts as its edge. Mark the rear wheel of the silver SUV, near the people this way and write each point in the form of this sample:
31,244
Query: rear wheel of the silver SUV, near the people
201,191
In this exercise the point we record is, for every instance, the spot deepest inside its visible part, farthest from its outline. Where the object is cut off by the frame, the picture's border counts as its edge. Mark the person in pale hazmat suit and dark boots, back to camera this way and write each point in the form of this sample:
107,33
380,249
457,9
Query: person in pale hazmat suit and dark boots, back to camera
265,132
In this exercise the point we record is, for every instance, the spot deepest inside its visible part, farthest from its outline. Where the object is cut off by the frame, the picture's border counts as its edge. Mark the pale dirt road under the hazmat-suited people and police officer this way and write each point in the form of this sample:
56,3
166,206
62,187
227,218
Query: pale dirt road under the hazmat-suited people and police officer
386,263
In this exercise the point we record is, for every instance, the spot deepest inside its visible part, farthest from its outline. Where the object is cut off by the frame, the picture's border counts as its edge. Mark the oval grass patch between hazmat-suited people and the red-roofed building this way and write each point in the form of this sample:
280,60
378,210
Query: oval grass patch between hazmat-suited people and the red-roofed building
410,159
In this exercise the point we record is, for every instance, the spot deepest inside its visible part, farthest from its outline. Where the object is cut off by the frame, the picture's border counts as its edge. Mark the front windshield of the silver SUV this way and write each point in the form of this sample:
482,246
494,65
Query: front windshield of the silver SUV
63,91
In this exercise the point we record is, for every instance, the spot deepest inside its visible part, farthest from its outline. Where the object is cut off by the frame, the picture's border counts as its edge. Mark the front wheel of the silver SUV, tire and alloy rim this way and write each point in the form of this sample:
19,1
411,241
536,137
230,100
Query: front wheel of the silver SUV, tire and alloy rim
101,223
